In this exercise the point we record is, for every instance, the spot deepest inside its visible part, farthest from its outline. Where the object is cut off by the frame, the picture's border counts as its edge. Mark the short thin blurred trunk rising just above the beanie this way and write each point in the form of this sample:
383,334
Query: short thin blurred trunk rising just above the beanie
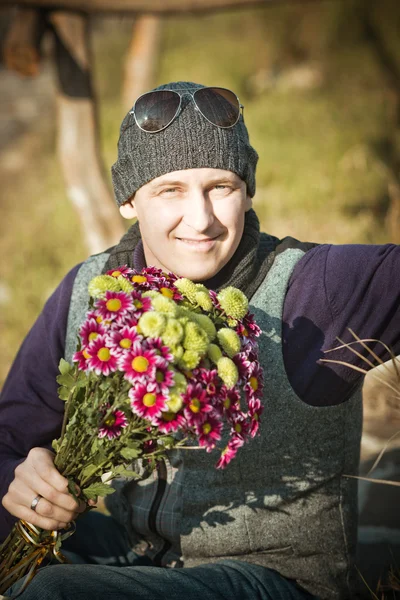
141,59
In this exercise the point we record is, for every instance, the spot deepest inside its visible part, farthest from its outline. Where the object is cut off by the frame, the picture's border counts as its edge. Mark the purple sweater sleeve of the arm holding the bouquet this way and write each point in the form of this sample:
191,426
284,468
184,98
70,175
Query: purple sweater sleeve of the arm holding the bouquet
30,411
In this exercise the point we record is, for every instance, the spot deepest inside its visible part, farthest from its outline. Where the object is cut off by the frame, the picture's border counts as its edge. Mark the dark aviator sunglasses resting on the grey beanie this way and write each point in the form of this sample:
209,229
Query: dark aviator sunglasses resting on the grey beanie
154,111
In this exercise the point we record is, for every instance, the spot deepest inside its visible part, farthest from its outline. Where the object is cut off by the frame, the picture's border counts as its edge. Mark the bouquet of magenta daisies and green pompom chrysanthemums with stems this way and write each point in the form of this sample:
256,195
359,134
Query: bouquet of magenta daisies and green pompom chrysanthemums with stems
161,363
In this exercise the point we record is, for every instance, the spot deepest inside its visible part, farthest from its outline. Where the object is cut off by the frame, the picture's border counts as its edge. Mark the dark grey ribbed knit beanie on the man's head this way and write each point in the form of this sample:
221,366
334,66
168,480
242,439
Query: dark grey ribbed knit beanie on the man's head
189,142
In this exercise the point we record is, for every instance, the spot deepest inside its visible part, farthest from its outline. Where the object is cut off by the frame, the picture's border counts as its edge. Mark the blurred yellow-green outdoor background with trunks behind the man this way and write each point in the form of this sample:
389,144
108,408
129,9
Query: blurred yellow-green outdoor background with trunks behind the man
320,82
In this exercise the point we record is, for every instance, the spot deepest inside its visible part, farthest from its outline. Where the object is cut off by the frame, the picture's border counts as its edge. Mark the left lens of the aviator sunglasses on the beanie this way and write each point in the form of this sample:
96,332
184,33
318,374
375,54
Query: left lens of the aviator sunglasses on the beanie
155,110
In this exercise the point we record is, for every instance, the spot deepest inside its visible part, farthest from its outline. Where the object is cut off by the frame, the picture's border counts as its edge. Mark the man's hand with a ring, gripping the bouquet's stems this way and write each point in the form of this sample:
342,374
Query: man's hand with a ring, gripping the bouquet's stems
37,476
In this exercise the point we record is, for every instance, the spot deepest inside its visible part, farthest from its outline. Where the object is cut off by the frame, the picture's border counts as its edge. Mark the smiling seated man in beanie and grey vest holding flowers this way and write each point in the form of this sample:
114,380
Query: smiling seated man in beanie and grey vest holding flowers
280,522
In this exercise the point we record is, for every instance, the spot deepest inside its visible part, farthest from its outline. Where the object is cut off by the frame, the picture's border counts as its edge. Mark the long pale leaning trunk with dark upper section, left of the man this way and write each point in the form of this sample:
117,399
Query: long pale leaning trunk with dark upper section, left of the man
78,144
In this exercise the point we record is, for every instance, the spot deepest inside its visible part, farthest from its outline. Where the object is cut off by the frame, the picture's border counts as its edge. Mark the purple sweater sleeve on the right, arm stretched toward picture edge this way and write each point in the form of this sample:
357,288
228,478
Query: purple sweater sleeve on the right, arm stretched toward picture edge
334,289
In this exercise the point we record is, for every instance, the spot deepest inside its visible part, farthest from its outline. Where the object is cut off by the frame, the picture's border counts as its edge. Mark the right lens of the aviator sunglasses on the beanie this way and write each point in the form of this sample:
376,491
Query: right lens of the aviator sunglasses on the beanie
218,105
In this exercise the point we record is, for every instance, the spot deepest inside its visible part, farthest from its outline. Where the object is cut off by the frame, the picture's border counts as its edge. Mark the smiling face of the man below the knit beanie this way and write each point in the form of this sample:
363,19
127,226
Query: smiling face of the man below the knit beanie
191,221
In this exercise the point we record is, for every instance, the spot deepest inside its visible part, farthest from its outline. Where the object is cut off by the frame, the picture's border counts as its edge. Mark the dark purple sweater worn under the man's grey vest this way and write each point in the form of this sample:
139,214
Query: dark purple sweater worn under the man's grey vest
332,288
